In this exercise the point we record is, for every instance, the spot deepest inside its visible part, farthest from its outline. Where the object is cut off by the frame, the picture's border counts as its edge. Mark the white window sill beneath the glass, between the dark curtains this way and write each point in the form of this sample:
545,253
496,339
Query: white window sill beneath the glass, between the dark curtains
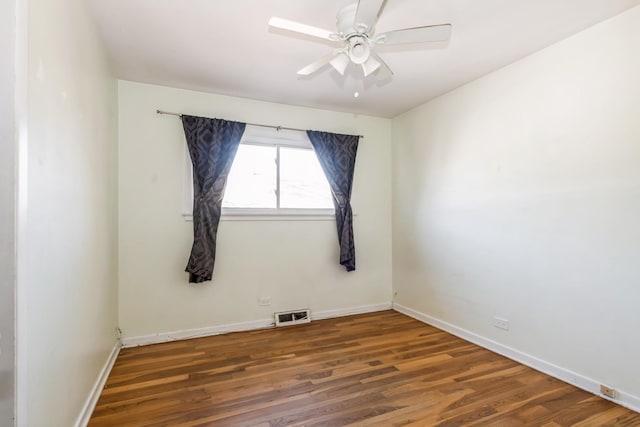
274,215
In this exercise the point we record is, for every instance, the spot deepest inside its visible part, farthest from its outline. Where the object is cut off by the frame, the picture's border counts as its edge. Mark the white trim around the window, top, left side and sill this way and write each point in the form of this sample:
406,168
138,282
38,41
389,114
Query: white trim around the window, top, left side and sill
256,135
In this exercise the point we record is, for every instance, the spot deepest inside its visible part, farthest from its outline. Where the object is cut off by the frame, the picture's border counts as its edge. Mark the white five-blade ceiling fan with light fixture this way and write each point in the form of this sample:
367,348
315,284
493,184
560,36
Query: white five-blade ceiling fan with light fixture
356,32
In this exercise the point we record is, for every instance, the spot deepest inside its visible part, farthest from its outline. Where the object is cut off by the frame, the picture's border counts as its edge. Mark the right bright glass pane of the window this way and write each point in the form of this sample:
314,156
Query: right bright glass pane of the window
302,181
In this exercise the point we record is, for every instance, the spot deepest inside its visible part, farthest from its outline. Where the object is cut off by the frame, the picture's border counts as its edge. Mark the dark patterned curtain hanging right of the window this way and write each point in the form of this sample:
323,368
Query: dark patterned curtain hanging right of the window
337,156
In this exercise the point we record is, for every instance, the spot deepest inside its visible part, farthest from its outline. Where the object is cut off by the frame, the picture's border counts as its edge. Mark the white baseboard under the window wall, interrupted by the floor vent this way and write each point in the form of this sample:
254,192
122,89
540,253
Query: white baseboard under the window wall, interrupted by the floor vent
242,326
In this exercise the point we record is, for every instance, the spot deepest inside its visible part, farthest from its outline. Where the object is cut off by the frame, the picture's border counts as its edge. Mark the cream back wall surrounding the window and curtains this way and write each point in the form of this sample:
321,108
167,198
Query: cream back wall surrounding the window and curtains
293,262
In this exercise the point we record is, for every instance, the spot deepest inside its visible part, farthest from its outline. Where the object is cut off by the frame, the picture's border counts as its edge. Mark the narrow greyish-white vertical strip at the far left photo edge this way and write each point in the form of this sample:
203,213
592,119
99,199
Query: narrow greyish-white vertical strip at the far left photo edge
7,209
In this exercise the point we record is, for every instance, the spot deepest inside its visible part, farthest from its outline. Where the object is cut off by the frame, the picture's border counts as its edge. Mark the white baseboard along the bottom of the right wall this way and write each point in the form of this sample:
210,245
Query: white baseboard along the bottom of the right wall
588,384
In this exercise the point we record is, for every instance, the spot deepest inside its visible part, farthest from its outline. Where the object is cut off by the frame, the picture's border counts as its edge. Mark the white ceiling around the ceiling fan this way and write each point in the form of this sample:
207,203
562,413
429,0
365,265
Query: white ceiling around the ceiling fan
226,47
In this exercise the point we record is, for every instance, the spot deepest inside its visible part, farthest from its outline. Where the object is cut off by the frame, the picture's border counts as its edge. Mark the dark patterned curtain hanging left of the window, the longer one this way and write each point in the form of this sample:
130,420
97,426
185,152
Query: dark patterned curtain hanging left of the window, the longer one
213,144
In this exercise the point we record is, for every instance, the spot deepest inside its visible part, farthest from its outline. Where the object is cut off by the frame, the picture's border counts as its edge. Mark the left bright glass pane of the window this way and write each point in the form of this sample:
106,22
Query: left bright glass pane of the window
252,180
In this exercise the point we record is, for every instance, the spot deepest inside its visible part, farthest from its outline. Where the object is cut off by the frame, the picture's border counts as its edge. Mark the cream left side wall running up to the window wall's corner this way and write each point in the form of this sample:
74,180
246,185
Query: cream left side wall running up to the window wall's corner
67,263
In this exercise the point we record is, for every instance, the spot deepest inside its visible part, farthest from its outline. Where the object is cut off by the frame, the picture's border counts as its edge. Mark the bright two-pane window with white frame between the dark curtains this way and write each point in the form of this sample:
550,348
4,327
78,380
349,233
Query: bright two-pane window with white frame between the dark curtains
275,173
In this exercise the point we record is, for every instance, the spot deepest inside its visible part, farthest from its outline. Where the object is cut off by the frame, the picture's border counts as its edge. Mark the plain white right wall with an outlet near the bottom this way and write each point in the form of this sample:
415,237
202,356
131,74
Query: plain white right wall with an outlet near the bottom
518,195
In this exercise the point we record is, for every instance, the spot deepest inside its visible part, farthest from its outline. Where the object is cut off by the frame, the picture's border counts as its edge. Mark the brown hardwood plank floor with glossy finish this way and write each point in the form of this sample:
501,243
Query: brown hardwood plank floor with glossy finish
379,369
